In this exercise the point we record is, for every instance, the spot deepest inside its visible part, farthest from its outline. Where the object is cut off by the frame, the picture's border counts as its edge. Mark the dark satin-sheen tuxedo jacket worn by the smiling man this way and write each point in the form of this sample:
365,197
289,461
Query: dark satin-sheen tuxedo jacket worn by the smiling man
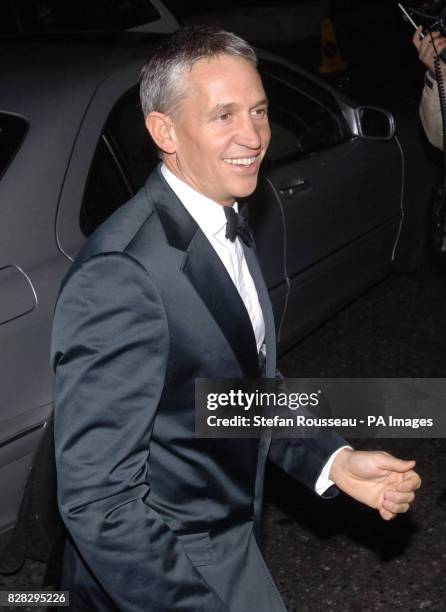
160,520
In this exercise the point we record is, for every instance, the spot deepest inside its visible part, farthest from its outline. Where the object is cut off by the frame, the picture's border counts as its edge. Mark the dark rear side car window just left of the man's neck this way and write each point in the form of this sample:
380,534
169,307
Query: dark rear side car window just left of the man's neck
124,158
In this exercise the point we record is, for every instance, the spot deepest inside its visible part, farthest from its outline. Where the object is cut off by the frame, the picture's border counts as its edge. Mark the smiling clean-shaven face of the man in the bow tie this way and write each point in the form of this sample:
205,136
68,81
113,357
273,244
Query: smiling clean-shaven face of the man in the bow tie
221,129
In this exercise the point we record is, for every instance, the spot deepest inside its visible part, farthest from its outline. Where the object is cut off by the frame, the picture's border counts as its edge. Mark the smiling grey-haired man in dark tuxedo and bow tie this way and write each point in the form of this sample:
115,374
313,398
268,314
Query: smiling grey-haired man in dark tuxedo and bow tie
160,520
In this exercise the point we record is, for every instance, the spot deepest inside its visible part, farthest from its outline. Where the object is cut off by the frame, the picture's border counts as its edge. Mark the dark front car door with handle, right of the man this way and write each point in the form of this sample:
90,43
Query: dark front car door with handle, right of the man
332,202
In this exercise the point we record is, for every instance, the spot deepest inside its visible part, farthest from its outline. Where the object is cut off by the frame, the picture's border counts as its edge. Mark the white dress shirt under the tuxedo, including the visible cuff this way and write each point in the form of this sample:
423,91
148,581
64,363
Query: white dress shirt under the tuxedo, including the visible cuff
211,219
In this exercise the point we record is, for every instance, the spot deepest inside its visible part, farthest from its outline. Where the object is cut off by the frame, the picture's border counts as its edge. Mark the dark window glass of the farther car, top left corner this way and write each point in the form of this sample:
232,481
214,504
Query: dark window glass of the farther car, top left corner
54,15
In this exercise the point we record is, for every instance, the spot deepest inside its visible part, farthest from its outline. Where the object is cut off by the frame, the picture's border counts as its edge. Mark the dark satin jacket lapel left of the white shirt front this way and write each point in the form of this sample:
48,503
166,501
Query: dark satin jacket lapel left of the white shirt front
207,274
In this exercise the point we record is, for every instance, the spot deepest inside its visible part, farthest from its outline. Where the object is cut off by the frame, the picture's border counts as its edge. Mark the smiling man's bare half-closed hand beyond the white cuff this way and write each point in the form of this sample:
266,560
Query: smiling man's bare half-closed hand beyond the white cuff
376,479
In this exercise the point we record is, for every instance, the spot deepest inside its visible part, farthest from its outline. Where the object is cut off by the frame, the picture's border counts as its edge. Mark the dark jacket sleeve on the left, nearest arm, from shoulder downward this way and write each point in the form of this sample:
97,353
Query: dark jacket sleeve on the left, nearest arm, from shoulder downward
109,350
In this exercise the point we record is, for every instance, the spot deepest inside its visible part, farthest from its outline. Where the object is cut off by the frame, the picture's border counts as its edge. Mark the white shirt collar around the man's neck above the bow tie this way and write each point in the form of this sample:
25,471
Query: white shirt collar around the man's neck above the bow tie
209,215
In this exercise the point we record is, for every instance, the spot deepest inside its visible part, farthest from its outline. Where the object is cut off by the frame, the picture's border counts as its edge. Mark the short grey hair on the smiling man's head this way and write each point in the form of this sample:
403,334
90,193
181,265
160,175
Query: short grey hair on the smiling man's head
162,86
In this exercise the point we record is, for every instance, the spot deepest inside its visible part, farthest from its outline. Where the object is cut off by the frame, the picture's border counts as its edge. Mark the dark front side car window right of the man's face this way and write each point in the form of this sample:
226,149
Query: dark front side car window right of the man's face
302,121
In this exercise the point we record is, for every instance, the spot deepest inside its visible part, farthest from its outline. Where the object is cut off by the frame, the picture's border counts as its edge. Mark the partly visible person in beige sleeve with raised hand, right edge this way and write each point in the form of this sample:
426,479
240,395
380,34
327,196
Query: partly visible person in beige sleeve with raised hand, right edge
430,110
